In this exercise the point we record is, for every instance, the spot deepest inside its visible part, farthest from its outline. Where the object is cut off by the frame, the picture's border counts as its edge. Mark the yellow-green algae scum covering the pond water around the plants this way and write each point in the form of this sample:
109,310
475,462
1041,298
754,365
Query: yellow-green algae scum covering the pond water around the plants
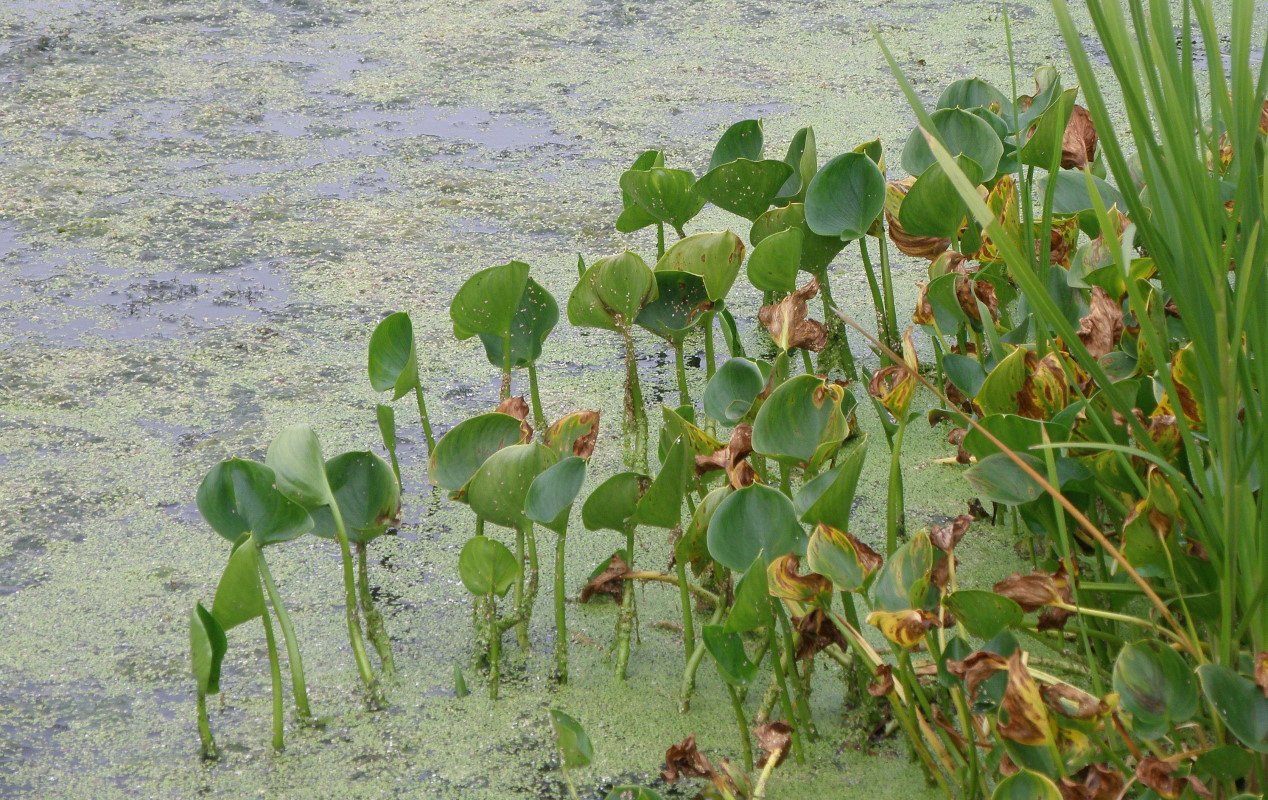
205,209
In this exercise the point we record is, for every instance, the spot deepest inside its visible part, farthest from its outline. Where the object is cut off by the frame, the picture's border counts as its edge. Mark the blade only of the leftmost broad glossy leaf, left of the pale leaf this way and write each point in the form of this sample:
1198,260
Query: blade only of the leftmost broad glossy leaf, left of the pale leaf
239,496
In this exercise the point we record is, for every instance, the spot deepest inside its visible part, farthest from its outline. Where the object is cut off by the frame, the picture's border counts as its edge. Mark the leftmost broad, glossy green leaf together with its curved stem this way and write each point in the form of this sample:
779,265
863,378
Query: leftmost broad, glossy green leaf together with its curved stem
239,498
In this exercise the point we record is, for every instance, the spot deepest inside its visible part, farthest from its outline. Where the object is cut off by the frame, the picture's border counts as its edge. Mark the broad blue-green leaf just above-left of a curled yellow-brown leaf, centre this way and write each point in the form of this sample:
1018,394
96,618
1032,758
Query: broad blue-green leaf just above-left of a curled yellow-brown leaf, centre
754,520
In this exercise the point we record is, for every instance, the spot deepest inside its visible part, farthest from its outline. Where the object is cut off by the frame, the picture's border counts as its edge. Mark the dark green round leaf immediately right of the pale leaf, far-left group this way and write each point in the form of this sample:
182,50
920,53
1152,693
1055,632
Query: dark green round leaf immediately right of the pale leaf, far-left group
367,493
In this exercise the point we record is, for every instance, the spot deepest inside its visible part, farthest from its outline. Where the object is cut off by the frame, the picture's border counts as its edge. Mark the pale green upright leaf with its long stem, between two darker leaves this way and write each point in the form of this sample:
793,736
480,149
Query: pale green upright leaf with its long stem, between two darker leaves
295,457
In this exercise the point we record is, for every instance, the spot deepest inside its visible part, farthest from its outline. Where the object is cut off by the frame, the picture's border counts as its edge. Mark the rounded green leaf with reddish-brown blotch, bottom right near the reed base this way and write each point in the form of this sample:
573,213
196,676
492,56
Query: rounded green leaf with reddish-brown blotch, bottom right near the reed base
1156,687
